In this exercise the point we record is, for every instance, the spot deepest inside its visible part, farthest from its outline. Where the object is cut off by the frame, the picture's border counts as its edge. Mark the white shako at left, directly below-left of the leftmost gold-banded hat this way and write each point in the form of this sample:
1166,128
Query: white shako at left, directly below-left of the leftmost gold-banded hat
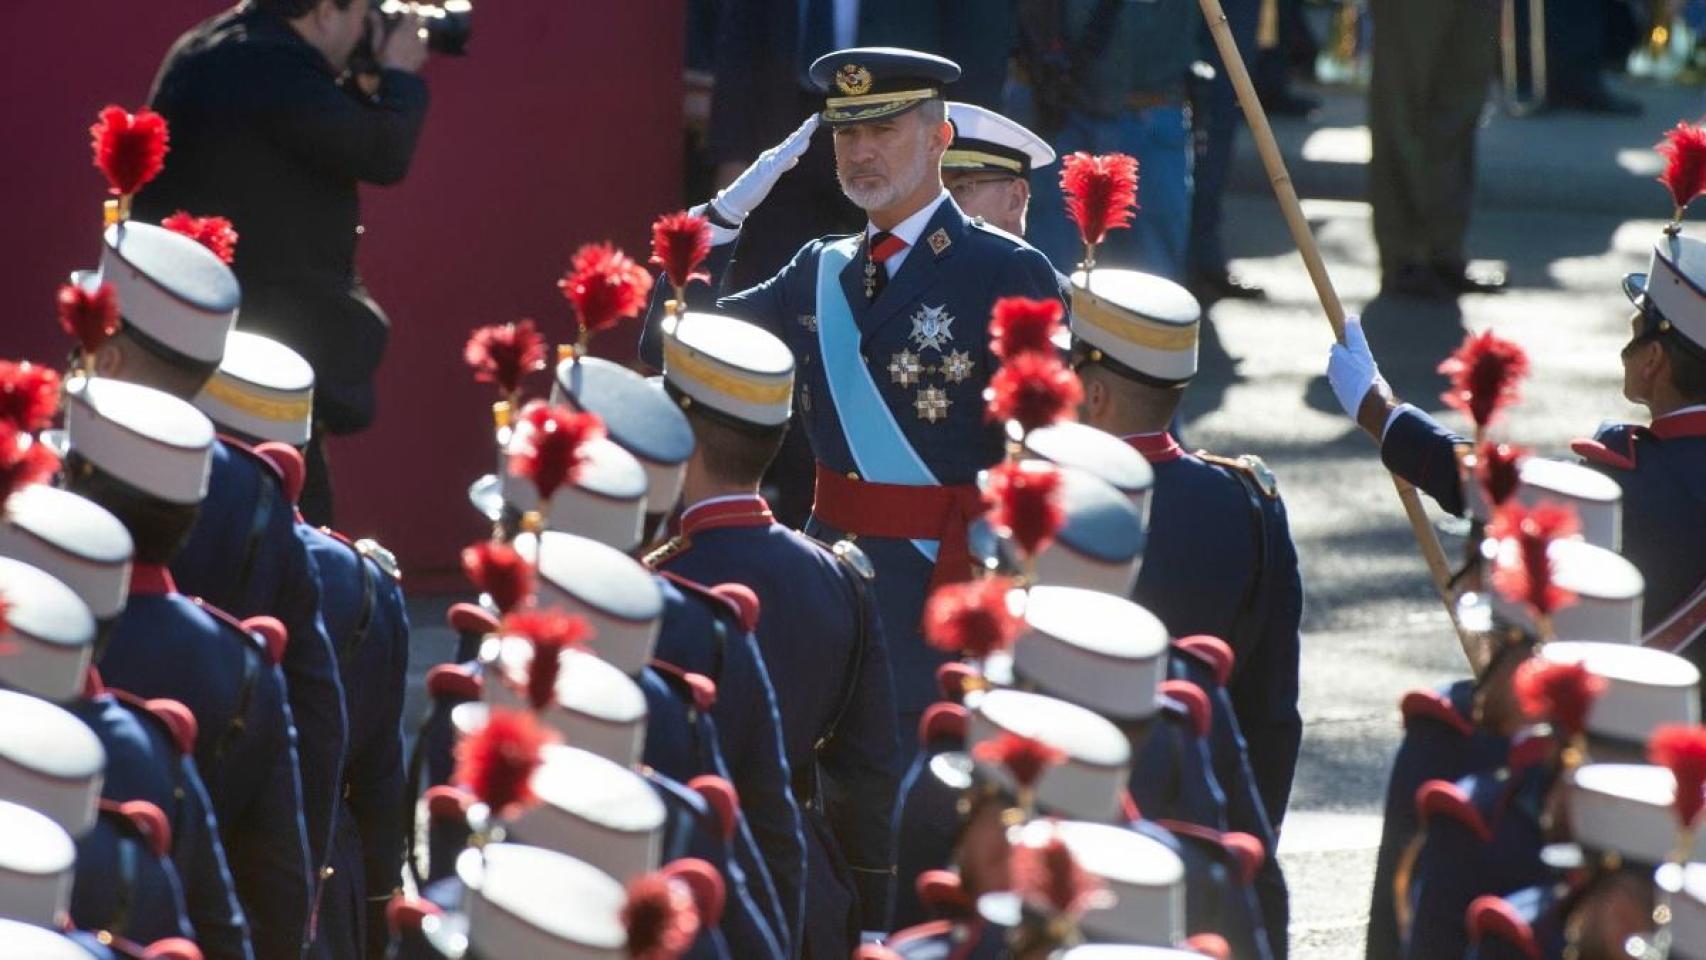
153,441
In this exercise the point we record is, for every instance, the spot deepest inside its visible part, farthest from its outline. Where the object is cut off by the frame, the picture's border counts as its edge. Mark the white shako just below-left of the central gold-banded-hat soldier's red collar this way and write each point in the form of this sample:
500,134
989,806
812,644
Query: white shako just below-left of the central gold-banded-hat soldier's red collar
617,594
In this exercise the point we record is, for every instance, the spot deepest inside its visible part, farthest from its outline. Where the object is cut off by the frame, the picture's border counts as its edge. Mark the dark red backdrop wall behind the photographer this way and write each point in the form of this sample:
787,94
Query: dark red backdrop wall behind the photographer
564,125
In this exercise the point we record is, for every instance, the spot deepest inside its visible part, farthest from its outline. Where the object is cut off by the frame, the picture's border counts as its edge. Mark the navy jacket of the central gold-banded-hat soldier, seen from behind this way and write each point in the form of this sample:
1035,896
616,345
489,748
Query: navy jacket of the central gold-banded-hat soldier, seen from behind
821,640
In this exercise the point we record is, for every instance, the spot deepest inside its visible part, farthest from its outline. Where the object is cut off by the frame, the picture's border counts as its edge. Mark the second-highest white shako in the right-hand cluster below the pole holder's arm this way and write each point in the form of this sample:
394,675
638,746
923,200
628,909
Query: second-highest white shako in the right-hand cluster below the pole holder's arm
1608,591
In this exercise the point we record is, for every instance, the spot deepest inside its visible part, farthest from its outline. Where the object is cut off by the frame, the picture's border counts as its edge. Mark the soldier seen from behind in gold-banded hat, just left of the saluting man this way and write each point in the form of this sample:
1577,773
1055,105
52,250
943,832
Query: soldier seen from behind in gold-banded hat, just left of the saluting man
818,627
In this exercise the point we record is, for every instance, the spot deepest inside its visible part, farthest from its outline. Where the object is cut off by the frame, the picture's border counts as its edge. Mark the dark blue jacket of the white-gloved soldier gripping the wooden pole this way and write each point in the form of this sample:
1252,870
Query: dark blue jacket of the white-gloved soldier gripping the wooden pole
1662,473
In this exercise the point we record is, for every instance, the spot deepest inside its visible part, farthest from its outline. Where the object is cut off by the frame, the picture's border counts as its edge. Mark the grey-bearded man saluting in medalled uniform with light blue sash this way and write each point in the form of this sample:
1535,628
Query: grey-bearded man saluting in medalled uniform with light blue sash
888,332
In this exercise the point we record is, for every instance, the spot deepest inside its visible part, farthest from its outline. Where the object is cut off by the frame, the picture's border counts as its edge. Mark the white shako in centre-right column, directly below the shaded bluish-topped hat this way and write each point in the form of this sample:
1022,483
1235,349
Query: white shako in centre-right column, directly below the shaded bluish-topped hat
1094,651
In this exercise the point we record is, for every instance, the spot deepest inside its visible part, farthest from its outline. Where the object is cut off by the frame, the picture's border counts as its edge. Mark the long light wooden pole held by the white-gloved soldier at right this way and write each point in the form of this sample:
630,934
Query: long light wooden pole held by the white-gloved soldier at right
1318,274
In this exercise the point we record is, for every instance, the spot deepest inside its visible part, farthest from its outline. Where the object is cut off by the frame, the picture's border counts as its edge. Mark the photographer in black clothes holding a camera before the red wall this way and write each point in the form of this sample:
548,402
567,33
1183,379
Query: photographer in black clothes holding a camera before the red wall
276,120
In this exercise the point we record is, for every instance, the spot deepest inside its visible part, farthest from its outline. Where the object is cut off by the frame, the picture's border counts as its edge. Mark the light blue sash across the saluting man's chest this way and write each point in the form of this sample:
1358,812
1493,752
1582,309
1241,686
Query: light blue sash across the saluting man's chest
879,448
